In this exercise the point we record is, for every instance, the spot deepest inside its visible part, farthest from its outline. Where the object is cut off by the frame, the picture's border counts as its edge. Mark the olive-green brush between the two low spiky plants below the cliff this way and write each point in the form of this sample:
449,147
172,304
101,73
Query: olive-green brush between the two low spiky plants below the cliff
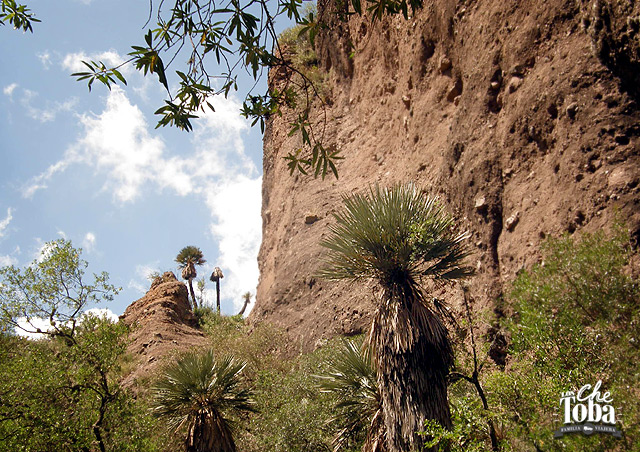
292,412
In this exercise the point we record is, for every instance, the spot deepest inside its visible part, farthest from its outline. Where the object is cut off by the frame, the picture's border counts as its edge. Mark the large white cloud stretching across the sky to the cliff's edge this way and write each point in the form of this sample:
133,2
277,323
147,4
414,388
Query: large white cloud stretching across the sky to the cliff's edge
118,144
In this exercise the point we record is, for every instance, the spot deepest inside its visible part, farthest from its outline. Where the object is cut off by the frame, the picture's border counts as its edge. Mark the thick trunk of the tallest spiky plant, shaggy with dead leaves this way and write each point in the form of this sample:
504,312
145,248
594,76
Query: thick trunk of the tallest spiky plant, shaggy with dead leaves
413,356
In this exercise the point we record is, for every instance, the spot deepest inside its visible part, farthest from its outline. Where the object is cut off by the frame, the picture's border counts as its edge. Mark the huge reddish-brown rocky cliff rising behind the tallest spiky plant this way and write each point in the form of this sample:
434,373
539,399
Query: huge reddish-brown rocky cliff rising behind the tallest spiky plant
521,116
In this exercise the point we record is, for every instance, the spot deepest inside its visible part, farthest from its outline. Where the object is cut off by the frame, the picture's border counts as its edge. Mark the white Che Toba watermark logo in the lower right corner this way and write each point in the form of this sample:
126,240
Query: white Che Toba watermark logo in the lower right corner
588,411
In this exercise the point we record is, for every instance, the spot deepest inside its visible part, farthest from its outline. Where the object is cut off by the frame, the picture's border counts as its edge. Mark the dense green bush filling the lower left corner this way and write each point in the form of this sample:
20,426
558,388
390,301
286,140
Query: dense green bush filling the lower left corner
62,393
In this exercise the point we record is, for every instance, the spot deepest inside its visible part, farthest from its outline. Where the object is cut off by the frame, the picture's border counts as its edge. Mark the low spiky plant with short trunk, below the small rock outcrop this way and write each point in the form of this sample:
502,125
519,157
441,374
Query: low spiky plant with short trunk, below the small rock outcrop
198,393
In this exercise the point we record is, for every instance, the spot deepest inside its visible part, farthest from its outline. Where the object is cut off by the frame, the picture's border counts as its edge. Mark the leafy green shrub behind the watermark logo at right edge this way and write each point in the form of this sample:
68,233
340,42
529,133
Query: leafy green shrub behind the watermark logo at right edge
576,321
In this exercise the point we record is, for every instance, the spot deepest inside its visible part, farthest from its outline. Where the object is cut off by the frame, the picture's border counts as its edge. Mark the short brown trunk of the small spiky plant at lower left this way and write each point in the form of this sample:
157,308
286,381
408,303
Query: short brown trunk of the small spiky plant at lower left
209,433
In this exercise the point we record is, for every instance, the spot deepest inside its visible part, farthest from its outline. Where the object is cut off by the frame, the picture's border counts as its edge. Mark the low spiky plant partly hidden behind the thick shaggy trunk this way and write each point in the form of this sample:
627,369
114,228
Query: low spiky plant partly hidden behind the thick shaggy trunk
352,379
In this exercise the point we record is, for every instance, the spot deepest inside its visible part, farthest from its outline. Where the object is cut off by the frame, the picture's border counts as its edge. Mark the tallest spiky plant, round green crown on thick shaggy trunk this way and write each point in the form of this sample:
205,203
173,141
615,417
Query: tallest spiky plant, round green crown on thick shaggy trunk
399,238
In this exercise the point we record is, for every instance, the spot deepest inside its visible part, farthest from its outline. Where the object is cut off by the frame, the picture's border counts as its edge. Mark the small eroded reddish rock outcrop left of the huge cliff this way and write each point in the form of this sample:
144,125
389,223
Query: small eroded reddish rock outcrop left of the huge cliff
162,324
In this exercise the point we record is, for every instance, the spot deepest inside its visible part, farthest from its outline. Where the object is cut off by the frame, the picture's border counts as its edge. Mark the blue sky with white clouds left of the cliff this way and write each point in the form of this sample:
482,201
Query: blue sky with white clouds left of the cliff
92,168
